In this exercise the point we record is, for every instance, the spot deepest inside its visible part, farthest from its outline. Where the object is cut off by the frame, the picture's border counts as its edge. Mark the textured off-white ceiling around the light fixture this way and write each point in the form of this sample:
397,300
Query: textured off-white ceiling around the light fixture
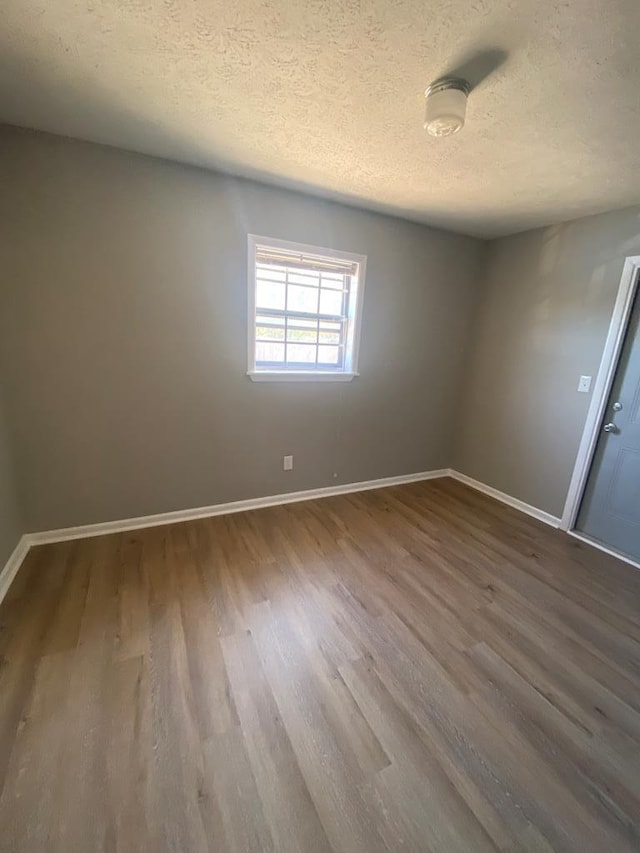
327,96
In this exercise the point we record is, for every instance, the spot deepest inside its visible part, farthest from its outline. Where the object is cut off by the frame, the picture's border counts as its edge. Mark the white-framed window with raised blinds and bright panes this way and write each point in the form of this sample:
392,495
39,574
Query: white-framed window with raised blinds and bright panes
304,311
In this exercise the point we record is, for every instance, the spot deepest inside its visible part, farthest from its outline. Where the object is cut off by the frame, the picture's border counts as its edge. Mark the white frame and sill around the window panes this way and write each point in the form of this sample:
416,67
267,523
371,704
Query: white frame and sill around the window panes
350,369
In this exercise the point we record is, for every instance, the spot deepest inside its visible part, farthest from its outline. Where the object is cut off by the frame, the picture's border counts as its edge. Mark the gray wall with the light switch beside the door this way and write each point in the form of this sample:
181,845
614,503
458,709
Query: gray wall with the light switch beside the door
547,299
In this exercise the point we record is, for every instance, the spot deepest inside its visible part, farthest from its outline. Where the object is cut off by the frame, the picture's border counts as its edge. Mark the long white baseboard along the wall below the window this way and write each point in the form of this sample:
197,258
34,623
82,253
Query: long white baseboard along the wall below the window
102,528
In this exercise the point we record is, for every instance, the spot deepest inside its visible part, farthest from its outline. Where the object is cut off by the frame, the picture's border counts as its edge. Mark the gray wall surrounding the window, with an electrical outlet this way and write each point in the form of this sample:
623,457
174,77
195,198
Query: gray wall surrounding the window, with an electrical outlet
126,338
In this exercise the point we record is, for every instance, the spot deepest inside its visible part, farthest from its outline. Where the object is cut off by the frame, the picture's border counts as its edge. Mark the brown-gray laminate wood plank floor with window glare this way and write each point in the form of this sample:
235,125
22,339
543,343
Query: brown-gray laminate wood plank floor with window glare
414,668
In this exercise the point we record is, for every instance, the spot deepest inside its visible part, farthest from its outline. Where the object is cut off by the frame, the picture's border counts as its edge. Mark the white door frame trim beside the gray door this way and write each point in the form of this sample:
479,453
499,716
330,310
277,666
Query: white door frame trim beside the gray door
629,283
